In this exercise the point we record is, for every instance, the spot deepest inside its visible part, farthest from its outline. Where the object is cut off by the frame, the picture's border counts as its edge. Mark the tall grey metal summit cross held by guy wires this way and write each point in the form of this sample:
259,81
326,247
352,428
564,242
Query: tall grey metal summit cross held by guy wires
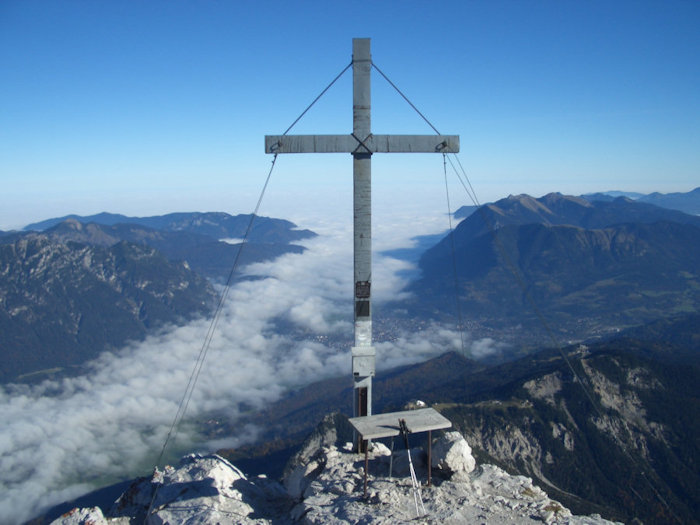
361,143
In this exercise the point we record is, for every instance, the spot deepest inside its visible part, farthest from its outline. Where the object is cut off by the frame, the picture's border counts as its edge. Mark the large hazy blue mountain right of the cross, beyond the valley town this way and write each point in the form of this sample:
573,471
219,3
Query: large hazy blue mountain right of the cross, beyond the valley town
589,267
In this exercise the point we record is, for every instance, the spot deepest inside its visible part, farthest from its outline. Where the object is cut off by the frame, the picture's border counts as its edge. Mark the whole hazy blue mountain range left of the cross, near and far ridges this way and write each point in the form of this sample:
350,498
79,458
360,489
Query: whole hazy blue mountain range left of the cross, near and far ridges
81,287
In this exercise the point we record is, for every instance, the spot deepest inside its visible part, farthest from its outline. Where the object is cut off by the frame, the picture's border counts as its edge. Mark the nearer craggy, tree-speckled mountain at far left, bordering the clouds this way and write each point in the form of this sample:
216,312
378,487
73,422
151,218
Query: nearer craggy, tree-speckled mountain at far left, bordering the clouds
64,303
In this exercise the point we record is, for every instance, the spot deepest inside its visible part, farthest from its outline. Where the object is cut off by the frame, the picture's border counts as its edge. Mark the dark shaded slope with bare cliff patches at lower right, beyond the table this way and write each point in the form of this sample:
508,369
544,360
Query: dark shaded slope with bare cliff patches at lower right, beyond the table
629,455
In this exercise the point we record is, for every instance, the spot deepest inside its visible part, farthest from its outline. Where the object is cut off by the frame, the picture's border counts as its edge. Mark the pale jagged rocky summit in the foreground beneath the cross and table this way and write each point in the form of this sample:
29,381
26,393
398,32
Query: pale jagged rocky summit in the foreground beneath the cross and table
324,484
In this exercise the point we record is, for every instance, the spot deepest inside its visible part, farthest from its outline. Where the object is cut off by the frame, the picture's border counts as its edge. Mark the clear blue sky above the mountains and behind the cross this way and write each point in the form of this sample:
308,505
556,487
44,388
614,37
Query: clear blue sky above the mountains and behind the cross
149,107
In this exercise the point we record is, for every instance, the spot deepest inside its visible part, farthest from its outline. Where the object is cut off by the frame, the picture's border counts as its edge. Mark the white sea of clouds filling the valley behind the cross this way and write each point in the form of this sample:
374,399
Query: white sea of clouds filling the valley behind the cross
61,439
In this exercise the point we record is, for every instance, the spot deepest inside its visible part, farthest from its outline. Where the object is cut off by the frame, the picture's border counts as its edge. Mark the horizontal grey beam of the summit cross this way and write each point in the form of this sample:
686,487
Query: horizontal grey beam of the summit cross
371,144
